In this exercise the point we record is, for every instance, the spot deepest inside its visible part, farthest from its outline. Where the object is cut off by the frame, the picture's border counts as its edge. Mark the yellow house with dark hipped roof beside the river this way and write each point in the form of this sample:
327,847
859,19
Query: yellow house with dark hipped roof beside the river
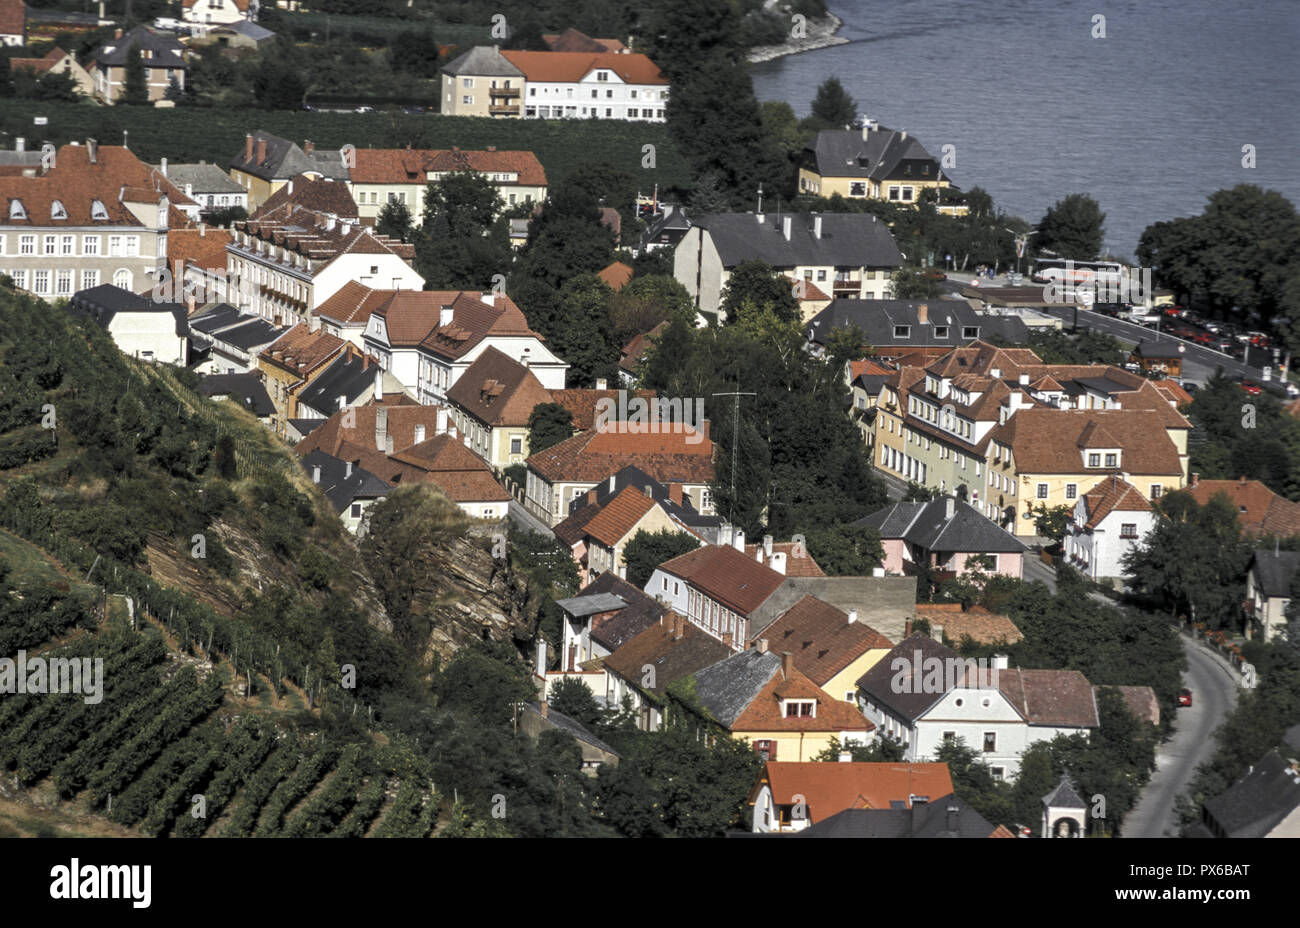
873,164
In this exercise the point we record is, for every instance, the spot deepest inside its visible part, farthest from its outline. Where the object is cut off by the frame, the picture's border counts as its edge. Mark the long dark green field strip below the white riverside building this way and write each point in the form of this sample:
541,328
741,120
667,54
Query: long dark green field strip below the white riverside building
193,135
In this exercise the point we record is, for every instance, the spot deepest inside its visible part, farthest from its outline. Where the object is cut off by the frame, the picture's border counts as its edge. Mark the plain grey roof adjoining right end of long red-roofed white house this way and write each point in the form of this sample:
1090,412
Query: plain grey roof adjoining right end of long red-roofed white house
885,604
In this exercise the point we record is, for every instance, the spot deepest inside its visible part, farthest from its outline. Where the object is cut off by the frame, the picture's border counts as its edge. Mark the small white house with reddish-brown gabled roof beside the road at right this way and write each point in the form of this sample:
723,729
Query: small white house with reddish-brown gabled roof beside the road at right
1108,522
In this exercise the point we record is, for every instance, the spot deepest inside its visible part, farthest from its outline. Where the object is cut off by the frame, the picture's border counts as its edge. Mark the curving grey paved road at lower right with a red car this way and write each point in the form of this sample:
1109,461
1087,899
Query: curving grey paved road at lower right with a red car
1215,688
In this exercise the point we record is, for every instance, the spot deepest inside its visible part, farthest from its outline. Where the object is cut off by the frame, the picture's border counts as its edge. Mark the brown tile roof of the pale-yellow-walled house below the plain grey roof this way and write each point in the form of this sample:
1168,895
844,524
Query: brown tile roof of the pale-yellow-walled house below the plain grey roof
821,639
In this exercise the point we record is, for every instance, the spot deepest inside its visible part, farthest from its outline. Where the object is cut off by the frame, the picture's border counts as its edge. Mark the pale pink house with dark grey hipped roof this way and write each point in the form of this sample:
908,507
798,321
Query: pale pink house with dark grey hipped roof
946,534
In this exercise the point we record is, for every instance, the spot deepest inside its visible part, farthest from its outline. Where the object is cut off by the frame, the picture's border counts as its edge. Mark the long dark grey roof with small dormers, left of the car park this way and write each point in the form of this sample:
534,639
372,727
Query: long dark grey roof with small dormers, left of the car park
879,318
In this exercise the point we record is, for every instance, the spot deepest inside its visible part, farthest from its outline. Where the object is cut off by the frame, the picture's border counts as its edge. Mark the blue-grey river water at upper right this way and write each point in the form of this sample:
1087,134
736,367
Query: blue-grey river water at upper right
1150,120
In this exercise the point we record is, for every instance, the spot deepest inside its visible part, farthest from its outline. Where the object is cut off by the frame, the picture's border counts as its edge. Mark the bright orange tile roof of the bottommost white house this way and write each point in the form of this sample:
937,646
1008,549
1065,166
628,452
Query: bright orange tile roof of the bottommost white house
830,788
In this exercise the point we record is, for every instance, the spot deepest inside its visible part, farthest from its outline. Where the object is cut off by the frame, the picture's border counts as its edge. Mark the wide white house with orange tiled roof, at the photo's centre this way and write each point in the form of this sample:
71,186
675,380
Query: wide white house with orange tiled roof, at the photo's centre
670,453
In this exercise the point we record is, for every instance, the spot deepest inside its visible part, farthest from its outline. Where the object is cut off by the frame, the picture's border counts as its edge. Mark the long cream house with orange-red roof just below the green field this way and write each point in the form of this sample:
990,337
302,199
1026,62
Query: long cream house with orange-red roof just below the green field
383,176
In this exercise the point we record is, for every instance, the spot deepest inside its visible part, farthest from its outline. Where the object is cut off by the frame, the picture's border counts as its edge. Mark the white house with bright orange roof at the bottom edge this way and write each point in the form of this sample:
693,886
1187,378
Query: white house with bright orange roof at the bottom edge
791,795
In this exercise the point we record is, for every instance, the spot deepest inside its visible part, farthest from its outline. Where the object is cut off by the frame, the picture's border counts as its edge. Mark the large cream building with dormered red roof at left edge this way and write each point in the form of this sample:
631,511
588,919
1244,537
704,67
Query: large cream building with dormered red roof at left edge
94,215
